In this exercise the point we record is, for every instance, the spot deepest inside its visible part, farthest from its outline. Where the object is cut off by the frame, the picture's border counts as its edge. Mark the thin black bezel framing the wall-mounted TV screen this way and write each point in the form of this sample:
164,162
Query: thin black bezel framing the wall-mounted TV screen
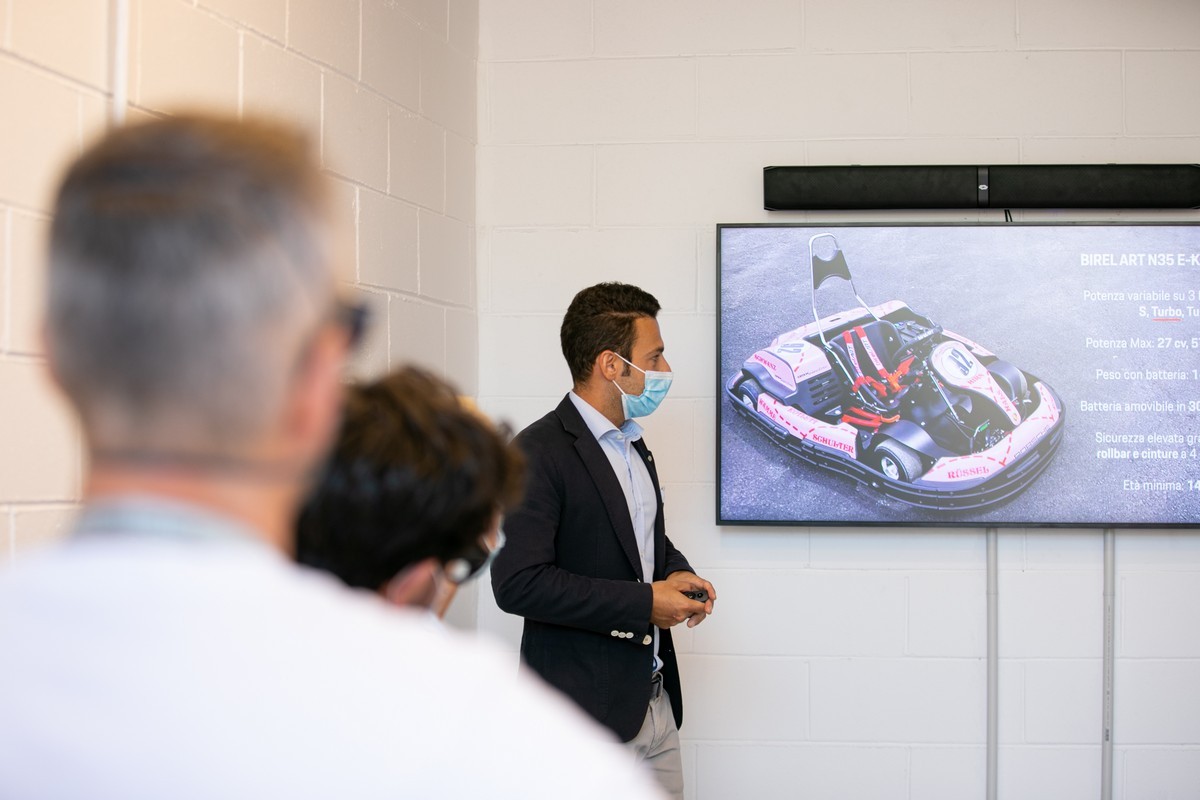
877,524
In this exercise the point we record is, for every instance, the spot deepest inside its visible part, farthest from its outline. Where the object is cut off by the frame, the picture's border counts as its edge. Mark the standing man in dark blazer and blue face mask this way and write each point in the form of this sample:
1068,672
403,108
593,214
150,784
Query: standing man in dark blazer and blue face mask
587,562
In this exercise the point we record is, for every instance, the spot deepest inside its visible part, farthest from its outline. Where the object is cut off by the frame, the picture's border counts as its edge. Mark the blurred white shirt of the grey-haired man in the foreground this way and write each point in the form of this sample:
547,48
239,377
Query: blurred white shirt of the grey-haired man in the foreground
173,655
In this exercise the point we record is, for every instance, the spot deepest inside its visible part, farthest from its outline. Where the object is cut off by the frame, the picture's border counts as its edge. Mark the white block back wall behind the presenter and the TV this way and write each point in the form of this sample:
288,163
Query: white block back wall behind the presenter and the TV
614,136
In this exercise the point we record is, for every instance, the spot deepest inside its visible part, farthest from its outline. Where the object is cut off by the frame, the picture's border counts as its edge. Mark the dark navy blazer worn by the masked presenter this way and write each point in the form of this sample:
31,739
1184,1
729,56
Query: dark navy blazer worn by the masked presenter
571,567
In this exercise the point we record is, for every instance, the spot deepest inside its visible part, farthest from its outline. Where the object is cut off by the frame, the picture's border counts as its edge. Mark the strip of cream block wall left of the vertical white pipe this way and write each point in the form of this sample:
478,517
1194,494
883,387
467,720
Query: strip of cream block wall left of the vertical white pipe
53,81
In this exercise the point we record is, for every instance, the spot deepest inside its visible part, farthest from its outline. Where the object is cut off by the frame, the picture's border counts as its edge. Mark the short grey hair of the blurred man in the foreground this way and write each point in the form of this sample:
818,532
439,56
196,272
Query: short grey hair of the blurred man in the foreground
190,260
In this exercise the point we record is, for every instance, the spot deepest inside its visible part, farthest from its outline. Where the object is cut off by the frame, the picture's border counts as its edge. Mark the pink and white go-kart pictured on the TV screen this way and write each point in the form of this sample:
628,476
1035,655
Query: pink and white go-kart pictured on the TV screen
887,396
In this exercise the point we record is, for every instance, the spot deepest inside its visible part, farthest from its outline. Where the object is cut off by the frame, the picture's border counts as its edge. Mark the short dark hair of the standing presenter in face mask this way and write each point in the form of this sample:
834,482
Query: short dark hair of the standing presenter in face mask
602,318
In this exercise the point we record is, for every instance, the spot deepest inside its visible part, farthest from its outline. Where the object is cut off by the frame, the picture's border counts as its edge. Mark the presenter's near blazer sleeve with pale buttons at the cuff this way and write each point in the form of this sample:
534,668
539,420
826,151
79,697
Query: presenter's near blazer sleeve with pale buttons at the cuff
526,578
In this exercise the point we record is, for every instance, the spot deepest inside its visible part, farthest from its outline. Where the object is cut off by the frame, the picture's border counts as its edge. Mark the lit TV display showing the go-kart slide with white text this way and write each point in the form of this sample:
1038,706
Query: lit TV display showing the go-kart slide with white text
981,375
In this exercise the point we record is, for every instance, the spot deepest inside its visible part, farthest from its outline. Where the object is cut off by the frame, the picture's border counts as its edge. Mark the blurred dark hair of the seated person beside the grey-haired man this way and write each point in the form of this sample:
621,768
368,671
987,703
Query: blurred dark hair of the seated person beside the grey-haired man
415,474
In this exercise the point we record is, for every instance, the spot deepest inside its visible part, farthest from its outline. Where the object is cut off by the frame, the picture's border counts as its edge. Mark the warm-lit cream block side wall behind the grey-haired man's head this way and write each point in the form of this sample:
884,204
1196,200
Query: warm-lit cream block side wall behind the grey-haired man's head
387,91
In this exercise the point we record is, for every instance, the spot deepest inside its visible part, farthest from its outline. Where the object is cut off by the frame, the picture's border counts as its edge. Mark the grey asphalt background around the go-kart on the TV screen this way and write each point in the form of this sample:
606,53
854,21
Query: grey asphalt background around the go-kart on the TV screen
1030,294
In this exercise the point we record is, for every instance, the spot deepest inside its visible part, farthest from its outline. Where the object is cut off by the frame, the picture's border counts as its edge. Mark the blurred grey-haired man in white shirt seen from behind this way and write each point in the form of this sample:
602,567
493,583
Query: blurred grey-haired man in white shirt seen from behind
171,648
